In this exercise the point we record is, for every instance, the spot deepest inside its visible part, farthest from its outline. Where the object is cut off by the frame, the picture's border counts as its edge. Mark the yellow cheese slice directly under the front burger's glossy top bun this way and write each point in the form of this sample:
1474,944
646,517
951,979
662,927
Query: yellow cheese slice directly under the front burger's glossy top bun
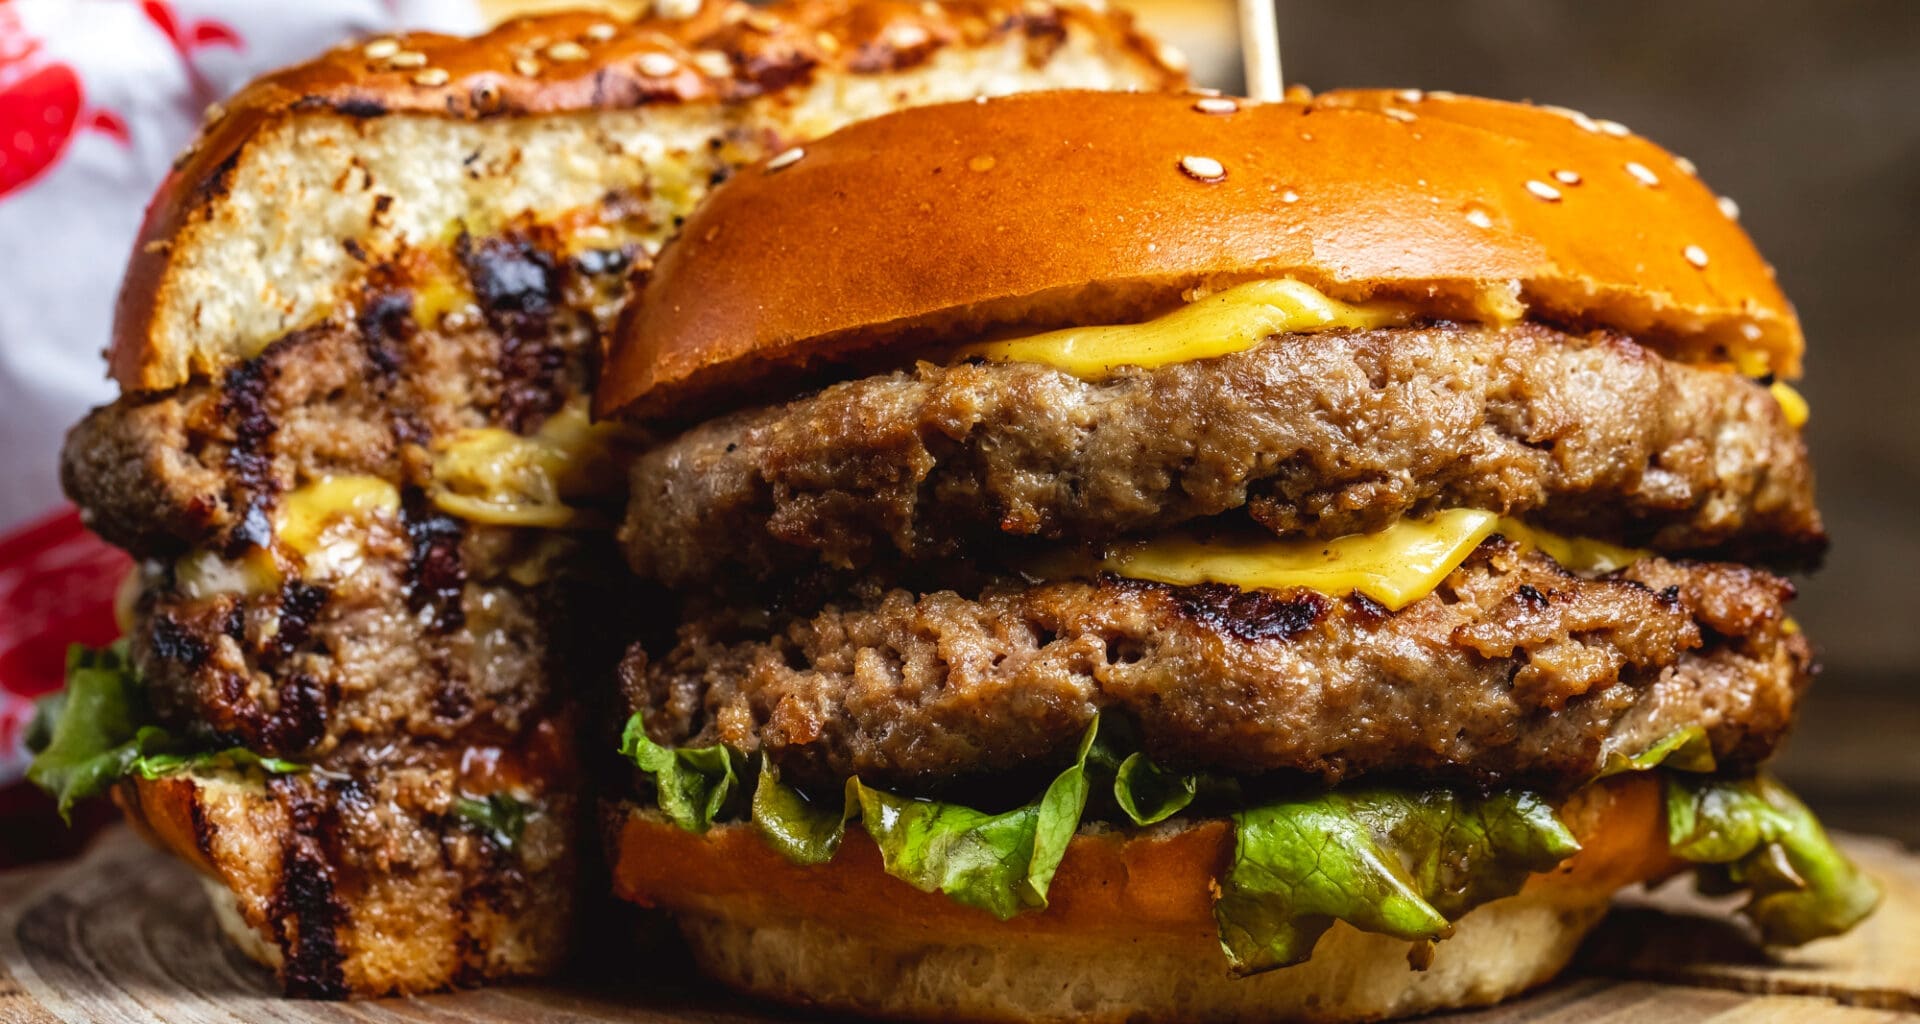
1218,326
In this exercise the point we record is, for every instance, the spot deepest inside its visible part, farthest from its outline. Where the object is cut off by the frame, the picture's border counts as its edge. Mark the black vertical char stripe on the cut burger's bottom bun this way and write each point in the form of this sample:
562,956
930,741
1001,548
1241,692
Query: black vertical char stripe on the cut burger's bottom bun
306,904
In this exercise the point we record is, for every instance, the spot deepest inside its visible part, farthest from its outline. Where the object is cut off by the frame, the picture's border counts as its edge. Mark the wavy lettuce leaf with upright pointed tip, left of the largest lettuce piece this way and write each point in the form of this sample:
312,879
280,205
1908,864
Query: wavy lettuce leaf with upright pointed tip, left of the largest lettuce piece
999,864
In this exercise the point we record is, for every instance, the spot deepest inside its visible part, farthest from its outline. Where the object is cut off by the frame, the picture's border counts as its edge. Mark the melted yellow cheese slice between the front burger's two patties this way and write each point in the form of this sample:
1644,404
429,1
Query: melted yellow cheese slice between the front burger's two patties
1397,566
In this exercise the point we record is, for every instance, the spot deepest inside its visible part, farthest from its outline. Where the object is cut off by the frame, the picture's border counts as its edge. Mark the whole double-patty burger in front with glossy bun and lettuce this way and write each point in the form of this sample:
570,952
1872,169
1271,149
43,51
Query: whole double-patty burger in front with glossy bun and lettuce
1151,556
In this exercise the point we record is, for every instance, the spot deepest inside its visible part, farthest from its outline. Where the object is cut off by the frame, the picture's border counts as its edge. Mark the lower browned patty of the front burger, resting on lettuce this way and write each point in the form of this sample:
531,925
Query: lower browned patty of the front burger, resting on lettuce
1512,671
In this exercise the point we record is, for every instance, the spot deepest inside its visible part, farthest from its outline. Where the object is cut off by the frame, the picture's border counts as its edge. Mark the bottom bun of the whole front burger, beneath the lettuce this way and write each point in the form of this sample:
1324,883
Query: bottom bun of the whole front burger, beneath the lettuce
1128,933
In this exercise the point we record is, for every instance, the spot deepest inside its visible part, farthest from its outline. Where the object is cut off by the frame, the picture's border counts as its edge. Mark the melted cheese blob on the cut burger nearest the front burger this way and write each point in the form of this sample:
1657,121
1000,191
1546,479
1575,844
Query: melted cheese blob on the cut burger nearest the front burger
504,479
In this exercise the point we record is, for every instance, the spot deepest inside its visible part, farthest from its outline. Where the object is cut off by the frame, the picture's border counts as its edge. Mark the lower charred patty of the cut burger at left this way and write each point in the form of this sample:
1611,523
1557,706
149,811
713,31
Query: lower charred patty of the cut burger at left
427,637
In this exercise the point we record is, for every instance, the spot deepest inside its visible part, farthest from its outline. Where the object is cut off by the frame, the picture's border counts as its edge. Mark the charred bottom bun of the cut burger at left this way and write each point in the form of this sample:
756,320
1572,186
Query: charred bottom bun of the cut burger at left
287,896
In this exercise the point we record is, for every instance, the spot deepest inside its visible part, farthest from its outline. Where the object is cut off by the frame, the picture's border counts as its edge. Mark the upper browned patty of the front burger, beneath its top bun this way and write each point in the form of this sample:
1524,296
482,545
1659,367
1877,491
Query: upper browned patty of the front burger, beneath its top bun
1316,433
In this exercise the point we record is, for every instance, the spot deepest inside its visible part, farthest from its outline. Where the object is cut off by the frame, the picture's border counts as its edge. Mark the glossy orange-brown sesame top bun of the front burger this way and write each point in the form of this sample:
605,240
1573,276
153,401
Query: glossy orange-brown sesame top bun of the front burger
1049,210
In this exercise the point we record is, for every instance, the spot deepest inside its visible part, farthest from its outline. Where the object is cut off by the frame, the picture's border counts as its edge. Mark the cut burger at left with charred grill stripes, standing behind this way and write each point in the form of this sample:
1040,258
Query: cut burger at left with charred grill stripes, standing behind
354,460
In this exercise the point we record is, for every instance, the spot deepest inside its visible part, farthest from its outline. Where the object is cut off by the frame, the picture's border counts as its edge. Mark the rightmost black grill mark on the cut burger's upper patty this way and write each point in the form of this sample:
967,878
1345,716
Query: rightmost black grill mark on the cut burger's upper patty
519,287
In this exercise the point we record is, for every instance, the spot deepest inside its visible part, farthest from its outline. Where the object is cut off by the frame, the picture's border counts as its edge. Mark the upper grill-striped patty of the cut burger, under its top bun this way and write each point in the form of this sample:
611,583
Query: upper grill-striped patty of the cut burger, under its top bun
162,474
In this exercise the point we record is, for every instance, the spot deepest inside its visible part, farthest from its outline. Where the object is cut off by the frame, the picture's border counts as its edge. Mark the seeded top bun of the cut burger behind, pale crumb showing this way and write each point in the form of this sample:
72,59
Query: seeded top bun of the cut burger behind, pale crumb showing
316,176
